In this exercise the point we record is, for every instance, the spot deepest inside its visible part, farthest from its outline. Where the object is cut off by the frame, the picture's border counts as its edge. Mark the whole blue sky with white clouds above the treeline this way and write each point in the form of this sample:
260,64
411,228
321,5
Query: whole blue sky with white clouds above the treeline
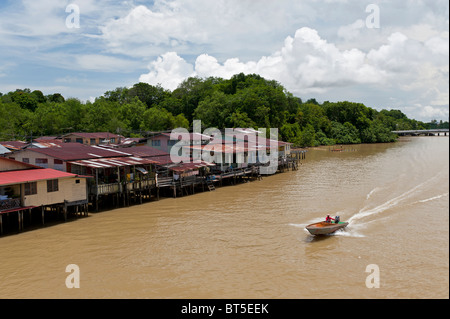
386,54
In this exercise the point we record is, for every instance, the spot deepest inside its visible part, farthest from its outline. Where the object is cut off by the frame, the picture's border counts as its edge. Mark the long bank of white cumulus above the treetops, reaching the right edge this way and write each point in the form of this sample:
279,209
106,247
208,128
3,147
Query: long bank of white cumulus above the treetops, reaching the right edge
416,72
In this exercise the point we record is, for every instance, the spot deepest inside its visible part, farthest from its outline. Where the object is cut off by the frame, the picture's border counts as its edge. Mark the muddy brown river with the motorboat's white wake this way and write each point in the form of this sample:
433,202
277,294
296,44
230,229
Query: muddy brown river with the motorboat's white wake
249,240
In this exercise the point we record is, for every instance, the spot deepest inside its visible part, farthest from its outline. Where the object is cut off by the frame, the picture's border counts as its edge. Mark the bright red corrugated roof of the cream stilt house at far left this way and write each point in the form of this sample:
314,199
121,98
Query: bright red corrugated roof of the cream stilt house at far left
31,175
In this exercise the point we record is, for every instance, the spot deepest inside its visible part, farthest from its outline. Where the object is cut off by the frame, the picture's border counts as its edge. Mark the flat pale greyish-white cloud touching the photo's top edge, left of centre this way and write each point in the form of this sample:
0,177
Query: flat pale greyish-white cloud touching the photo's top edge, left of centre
191,25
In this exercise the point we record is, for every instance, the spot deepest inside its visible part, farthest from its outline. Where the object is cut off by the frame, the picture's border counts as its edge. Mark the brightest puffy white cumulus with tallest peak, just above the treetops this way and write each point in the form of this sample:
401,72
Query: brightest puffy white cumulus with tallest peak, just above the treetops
306,63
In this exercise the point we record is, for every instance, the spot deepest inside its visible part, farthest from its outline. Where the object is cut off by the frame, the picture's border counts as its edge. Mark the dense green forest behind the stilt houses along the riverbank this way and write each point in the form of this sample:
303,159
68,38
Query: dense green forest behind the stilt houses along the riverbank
243,101
